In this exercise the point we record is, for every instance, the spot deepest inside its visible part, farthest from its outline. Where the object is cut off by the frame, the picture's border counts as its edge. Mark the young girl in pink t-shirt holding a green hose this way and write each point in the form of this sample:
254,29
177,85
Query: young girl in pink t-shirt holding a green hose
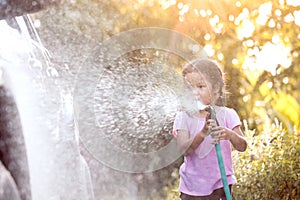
200,176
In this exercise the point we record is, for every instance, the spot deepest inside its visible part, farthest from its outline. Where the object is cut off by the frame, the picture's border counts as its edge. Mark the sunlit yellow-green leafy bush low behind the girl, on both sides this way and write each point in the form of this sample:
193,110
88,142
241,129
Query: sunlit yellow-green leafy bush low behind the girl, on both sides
268,169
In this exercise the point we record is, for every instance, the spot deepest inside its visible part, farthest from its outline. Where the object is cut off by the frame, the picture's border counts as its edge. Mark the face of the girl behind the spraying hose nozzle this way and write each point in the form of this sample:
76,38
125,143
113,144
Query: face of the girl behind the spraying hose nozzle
201,88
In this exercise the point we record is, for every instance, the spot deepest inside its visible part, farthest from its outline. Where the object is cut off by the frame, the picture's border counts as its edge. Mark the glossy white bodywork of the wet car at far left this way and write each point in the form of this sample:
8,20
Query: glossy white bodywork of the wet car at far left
57,170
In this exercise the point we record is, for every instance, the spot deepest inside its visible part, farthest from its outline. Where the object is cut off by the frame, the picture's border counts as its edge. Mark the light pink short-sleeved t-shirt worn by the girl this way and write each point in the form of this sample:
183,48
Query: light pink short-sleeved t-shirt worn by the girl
200,174
